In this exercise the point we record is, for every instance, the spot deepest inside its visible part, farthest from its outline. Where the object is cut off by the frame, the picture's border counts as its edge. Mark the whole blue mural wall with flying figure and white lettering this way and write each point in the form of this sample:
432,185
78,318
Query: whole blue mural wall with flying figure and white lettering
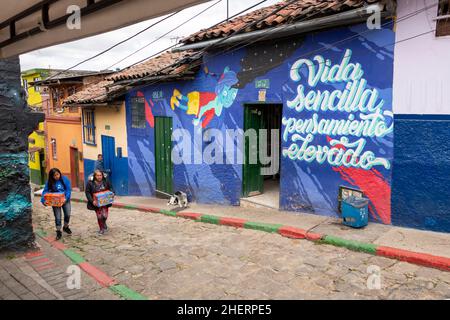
336,127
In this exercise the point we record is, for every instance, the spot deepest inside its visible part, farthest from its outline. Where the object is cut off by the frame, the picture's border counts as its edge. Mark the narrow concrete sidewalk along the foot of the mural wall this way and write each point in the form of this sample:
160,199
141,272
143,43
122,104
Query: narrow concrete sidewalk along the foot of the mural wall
426,242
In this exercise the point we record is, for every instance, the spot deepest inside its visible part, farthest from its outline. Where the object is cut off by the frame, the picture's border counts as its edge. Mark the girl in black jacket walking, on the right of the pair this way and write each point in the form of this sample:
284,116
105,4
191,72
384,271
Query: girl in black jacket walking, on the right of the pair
98,184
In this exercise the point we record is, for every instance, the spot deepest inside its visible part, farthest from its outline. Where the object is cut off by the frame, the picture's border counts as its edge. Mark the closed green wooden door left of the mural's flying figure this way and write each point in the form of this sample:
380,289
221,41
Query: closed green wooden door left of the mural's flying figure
163,151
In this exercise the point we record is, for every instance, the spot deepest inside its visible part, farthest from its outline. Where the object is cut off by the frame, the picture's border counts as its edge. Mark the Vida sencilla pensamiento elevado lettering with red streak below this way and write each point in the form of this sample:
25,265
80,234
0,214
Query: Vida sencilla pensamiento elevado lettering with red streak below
333,127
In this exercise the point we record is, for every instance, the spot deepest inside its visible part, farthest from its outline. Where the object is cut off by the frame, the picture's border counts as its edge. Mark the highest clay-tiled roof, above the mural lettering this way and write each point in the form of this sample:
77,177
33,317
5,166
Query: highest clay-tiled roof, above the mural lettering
299,10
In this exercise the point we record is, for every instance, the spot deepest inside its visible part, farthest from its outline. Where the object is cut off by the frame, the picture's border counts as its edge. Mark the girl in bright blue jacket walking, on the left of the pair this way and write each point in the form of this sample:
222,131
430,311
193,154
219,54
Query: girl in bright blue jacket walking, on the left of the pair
57,183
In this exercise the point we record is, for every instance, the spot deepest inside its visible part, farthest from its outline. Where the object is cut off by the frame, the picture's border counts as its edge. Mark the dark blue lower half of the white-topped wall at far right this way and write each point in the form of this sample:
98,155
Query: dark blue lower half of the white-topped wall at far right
421,172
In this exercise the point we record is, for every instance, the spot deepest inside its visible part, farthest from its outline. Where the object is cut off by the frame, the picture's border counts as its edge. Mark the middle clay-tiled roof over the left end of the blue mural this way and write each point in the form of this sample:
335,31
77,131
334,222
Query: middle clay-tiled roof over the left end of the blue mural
152,67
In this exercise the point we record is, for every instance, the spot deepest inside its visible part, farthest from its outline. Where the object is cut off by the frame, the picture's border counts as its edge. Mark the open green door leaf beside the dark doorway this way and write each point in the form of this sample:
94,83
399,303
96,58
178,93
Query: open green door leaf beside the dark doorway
252,182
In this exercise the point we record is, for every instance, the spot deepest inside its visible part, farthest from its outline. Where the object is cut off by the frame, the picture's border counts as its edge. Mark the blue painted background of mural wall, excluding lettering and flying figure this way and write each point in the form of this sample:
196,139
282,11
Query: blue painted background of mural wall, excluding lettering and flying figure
305,186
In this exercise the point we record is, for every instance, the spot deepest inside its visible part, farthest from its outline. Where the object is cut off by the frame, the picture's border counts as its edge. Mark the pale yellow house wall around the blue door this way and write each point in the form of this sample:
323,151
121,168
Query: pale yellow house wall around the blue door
115,118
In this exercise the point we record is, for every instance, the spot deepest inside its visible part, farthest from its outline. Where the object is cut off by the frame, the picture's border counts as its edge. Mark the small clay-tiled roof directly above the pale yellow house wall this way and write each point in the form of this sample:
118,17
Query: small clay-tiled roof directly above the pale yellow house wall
95,93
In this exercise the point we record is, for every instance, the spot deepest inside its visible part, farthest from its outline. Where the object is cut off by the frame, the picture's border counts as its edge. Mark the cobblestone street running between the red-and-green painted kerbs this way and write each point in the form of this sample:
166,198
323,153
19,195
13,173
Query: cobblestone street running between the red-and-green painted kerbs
171,258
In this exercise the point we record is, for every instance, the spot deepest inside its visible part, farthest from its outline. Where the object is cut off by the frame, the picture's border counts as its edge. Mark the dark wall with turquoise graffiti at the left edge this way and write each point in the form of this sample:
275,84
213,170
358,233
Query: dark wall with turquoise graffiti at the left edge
18,122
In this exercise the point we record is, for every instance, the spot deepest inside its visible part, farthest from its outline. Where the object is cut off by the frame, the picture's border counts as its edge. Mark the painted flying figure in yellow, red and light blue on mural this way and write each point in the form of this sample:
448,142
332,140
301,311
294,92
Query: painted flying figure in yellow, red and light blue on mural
204,106
